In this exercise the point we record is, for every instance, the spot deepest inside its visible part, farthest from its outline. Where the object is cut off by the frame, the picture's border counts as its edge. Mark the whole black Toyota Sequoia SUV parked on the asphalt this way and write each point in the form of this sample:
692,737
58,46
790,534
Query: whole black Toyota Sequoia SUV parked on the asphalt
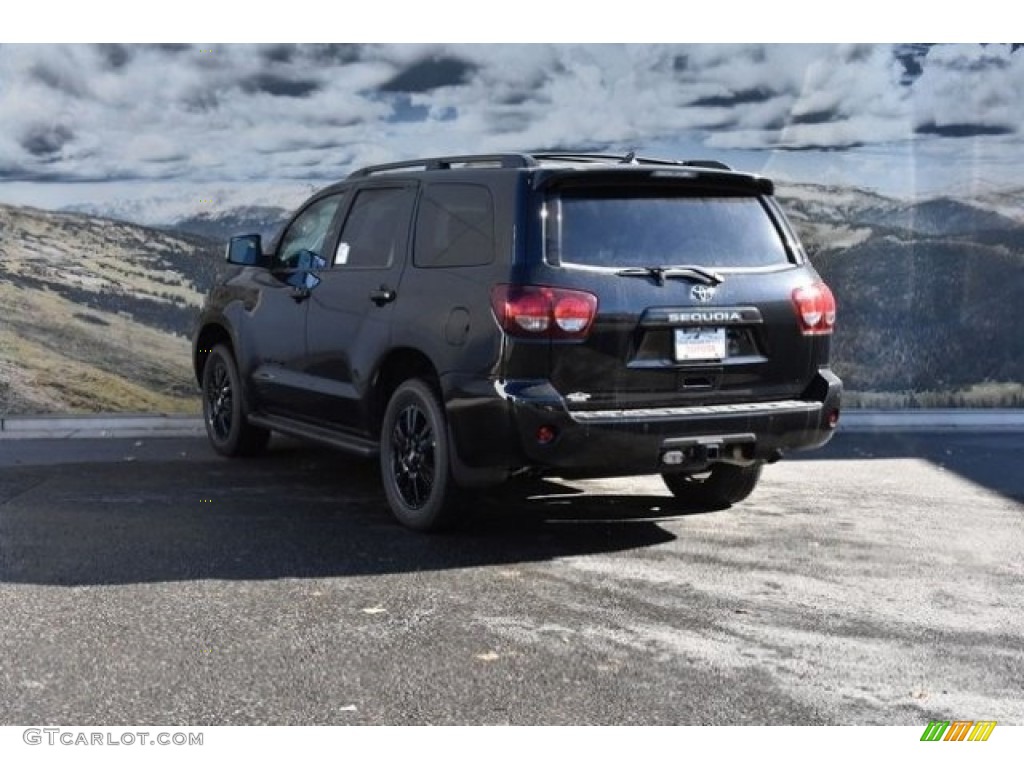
472,319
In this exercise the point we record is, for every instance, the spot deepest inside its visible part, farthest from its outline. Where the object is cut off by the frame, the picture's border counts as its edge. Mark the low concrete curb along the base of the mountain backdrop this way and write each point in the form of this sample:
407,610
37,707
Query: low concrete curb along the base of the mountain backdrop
162,425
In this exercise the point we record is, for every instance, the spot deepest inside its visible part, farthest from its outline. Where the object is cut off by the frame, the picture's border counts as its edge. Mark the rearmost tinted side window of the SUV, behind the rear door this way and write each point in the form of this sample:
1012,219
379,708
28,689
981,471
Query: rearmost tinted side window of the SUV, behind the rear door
456,227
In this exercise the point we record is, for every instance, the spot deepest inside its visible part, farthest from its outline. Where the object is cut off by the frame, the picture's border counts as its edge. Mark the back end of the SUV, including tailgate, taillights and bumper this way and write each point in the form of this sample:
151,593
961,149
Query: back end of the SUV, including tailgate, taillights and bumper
674,326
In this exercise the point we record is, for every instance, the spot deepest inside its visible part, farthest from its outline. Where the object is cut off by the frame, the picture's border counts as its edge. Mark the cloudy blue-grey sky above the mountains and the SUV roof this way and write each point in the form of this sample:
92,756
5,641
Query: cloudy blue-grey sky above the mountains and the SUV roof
98,122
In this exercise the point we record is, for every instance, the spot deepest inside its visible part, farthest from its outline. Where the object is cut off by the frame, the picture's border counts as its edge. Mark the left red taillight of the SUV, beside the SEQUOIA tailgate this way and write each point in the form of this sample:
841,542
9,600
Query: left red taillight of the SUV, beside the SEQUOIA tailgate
540,312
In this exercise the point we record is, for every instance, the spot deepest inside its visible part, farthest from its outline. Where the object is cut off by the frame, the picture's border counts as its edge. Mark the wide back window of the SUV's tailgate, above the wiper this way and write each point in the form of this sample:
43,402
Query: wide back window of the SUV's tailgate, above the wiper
659,229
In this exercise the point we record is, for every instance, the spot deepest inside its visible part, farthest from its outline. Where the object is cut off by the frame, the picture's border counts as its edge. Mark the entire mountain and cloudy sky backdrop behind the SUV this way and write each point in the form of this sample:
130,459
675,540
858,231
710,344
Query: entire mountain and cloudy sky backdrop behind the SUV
125,168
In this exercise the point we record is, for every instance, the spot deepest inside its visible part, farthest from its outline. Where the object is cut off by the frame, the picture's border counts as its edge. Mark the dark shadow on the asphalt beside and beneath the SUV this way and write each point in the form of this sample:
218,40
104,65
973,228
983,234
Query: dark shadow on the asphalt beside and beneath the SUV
298,513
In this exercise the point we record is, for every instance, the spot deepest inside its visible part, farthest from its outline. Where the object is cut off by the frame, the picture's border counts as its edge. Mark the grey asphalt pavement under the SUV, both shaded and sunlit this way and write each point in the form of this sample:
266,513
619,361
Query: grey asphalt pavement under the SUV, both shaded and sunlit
879,581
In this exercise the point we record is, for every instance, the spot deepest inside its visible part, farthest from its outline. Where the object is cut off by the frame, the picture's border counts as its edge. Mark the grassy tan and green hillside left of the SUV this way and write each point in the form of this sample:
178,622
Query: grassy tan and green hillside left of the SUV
96,315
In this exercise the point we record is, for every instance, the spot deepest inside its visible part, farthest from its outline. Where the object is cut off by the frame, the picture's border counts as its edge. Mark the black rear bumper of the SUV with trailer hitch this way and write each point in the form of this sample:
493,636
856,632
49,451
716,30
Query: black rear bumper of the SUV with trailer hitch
646,441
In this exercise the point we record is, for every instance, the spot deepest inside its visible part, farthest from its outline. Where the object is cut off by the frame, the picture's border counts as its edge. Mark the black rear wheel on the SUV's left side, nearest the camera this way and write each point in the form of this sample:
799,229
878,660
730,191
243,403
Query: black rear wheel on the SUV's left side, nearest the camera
415,459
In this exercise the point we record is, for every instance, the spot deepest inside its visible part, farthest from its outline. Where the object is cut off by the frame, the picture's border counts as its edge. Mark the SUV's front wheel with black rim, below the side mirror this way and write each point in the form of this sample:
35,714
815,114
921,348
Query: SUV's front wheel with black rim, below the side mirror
225,410
